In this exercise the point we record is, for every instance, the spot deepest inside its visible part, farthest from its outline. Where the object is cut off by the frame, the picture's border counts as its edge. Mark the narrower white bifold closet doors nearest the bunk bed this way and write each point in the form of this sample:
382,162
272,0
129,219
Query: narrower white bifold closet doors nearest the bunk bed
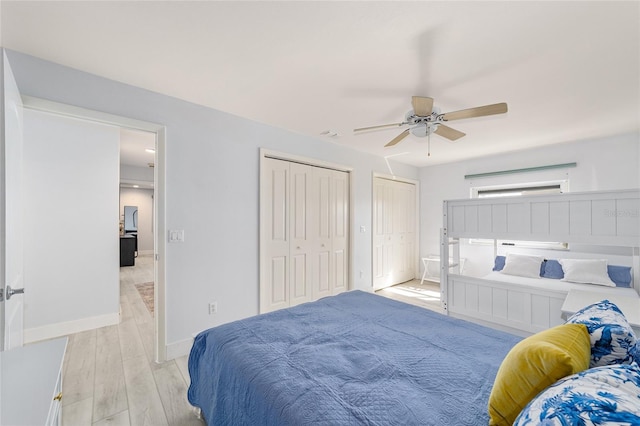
394,232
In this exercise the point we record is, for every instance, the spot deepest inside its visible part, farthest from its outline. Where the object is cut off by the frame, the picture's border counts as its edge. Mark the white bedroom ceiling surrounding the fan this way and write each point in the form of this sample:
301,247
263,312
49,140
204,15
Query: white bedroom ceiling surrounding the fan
568,70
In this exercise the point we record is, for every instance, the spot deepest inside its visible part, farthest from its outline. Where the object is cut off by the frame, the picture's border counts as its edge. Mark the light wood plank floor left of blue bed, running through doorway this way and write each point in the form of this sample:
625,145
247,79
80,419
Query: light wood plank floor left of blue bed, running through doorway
109,376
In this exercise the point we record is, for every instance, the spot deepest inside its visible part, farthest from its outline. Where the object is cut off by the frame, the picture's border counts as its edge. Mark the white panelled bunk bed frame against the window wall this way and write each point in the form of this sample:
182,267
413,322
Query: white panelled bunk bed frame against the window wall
599,219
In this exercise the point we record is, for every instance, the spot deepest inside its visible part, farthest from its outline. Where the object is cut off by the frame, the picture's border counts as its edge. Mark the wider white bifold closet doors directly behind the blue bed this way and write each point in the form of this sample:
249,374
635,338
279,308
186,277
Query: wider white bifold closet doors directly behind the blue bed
308,235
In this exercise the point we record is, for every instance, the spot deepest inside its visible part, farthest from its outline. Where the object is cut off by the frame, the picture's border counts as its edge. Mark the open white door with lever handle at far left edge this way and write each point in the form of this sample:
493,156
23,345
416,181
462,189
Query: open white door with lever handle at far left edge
11,310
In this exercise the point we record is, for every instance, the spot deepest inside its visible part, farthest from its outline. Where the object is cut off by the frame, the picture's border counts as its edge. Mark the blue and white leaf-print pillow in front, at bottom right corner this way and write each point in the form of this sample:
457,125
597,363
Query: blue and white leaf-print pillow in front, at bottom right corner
602,395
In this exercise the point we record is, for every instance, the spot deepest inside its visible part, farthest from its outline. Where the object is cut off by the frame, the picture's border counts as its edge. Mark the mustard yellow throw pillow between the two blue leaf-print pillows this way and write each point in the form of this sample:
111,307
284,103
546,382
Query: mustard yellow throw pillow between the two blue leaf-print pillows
534,364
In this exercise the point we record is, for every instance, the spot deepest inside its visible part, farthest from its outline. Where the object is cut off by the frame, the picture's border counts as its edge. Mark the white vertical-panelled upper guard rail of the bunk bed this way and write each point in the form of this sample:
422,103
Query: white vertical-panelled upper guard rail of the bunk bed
601,217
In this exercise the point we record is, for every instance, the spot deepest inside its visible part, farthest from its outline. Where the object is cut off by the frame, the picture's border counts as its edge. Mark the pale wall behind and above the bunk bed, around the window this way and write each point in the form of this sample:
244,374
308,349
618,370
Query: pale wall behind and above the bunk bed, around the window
602,164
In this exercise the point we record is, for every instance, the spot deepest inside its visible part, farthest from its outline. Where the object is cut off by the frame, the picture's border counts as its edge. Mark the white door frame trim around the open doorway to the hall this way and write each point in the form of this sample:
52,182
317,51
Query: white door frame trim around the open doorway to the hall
157,253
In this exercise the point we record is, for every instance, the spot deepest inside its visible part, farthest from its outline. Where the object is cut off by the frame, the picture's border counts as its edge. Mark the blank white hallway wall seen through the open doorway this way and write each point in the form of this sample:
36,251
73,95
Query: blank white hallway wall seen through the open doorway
71,251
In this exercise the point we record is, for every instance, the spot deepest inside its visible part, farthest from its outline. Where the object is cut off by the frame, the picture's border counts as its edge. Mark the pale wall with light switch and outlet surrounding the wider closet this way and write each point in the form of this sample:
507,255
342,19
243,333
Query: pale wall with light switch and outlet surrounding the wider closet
212,182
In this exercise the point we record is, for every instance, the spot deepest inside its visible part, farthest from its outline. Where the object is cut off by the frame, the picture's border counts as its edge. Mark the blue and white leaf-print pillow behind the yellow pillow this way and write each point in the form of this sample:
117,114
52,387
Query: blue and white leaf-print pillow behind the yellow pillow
612,338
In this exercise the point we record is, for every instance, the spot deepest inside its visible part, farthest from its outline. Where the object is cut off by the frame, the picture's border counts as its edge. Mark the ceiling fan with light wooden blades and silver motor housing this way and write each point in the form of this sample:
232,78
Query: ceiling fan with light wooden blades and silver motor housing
426,119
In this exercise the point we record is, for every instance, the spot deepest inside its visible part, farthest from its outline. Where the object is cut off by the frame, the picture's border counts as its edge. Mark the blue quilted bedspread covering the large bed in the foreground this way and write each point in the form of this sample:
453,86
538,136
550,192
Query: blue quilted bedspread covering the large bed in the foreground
356,358
